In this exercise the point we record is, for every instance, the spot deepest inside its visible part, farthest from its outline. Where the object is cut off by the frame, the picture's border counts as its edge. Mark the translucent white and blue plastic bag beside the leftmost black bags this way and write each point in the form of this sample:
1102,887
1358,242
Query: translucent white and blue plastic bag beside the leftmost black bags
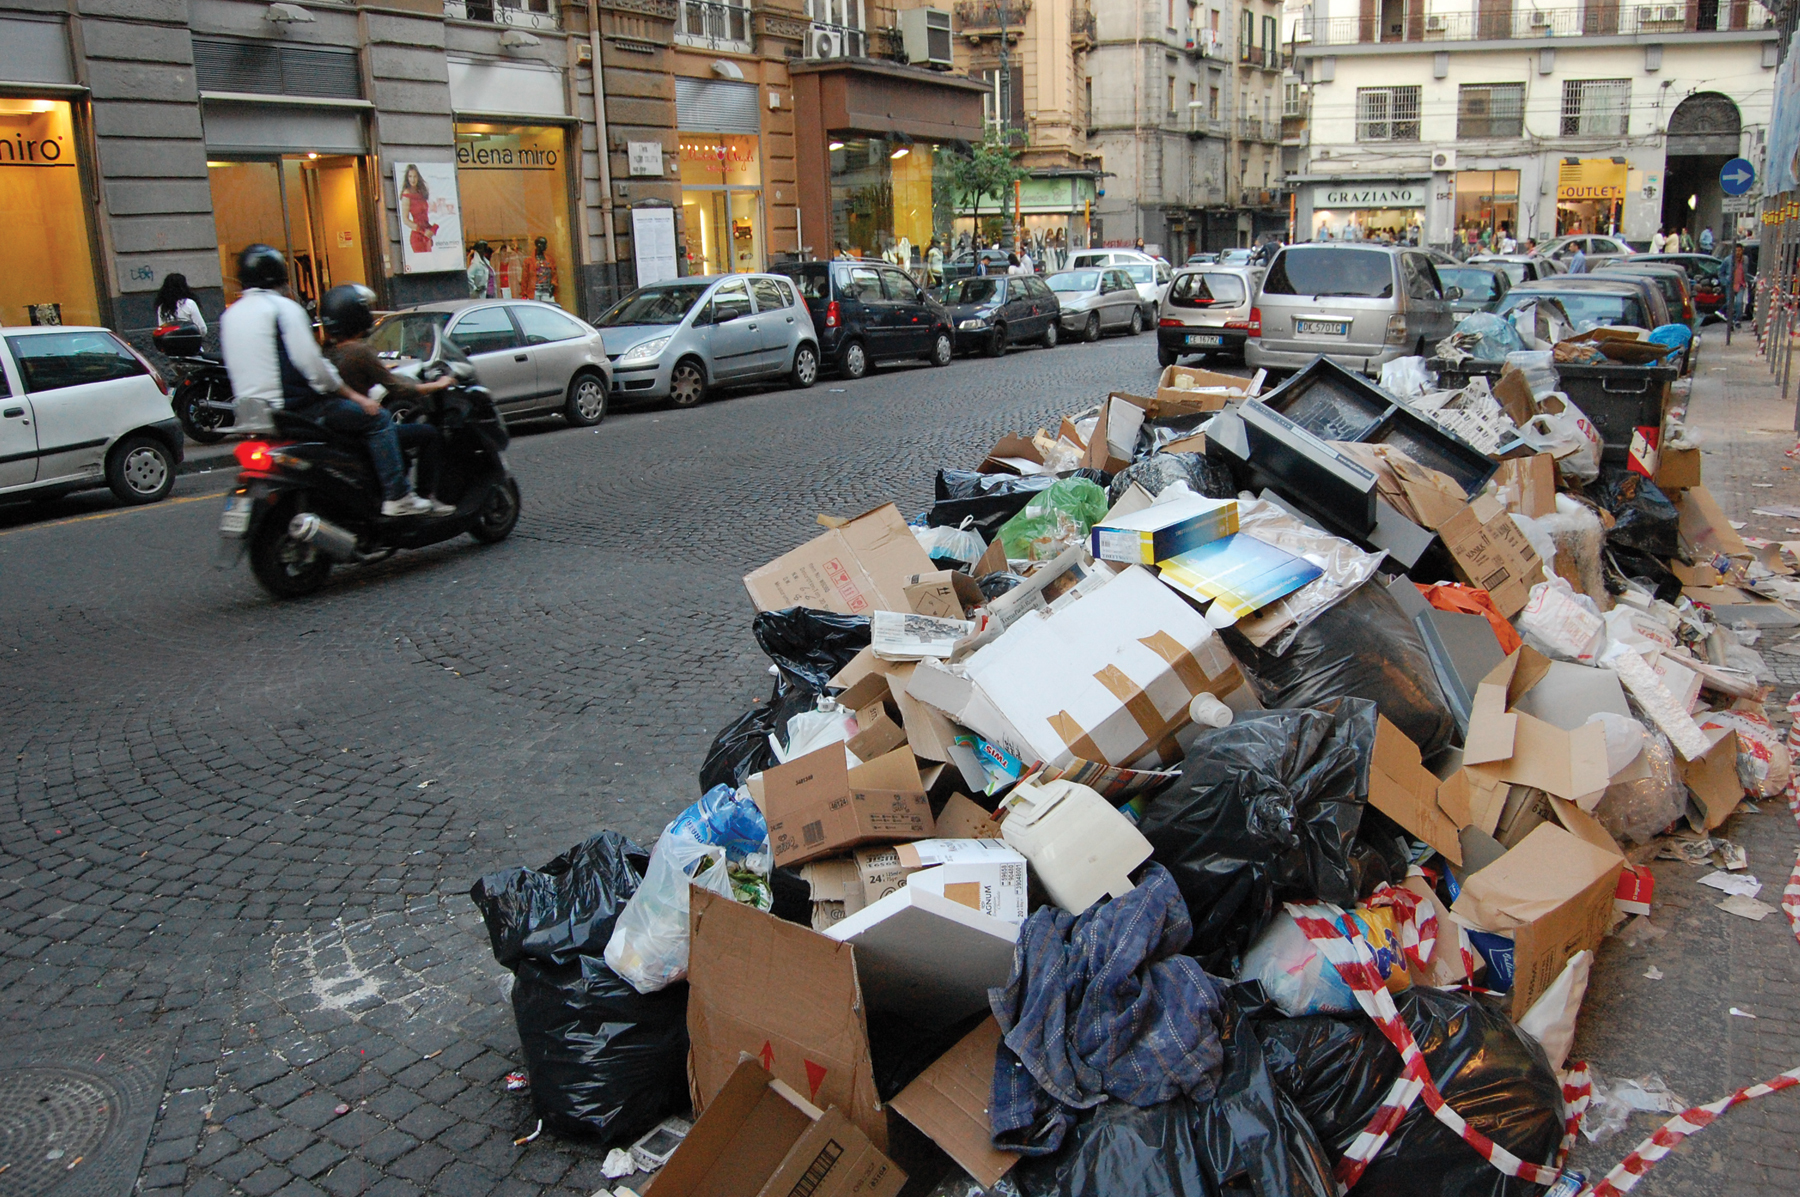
710,845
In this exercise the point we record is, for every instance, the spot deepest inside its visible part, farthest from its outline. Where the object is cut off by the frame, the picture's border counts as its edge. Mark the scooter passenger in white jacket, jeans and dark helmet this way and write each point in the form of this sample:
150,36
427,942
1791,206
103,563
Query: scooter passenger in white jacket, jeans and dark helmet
273,357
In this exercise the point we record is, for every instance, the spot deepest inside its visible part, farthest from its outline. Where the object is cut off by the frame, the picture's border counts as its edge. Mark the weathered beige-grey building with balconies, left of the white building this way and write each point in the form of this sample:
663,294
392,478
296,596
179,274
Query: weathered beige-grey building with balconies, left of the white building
1187,116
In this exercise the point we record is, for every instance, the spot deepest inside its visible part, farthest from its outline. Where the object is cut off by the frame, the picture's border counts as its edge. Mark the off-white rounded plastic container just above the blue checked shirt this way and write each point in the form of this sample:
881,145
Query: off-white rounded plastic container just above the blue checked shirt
1081,849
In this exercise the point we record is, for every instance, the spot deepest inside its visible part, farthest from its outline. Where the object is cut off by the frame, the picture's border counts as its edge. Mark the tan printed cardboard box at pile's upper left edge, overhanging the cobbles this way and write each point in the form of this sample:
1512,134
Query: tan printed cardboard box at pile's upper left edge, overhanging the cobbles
854,570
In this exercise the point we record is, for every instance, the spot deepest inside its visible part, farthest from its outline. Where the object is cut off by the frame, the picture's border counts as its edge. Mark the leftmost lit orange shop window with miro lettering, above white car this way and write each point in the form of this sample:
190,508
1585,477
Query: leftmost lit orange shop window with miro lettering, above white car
49,258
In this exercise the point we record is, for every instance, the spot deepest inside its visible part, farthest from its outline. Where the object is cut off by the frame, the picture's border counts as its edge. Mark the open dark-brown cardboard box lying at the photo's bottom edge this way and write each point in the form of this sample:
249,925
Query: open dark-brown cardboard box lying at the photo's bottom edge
762,1138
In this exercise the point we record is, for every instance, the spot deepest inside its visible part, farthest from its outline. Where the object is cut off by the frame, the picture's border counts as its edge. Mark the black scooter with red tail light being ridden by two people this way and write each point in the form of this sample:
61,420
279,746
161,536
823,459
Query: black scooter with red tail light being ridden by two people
310,499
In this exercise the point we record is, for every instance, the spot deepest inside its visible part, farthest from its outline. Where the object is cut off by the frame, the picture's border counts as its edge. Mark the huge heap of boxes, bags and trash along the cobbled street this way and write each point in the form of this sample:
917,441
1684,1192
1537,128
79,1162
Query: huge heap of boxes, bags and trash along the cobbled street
1223,793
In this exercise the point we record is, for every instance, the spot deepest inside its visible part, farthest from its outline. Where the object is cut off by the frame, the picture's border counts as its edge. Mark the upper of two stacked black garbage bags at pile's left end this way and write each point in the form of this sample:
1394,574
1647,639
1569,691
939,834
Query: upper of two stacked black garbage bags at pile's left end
568,908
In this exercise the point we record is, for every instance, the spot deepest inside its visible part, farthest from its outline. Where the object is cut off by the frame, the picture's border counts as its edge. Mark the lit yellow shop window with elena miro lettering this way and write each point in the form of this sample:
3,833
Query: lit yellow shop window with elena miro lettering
514,184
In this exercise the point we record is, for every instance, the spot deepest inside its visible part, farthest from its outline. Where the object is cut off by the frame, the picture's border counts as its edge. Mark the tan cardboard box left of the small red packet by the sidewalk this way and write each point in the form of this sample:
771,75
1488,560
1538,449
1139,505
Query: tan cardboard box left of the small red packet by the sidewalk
1554,894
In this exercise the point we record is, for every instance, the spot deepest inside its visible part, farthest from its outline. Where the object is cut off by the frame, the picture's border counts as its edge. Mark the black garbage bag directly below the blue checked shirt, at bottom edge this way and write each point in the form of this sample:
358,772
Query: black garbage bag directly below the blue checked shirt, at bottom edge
1122,1151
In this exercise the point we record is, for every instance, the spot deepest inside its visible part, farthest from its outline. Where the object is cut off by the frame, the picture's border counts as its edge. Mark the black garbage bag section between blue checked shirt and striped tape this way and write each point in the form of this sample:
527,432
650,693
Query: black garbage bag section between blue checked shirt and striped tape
1252,1137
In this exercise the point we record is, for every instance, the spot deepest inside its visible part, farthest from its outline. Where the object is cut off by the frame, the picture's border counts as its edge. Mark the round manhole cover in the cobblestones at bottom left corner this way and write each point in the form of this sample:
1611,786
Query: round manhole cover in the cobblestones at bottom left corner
76,1119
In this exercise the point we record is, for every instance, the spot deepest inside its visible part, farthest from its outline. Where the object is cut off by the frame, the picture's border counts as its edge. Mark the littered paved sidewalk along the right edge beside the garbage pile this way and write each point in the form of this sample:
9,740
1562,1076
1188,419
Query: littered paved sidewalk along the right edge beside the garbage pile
1680,1027
